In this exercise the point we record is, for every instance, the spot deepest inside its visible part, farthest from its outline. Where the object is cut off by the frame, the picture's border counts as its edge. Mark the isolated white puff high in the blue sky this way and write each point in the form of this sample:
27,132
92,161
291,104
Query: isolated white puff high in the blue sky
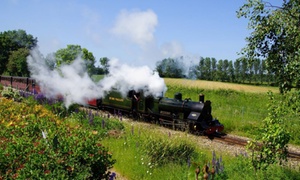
136,26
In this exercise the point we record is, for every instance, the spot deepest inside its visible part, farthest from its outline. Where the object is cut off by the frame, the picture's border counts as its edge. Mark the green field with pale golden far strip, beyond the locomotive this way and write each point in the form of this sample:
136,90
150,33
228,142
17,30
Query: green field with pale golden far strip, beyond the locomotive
241,108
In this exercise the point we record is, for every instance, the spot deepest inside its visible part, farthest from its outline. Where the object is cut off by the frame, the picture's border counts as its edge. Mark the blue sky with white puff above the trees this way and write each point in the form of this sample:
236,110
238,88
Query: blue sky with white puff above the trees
134,31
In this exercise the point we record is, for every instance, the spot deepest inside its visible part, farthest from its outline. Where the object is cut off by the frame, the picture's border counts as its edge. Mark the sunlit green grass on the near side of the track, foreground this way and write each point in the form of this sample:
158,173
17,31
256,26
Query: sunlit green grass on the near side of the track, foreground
133,162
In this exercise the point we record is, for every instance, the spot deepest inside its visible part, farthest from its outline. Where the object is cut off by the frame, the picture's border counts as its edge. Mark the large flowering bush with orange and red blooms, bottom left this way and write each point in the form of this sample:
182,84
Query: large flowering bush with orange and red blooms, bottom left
35,143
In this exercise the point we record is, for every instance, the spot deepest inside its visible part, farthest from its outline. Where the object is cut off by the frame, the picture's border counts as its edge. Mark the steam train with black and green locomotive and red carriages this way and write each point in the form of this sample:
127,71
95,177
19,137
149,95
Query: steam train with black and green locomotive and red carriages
176,113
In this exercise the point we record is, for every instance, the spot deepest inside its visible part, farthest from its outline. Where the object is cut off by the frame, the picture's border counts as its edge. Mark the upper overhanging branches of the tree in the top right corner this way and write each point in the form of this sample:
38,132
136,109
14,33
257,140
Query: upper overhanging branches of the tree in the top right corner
275,38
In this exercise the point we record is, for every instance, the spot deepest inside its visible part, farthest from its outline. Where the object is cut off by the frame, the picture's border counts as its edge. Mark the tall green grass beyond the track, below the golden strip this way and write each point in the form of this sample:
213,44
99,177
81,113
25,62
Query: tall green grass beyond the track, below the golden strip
241,112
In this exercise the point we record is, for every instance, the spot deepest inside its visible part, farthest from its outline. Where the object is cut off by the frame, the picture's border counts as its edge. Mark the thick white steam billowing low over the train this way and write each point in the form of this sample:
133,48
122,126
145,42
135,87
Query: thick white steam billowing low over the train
74,84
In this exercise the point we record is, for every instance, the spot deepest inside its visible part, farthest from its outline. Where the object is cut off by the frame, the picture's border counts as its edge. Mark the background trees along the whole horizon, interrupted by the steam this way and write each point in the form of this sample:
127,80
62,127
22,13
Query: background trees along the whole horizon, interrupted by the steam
16,45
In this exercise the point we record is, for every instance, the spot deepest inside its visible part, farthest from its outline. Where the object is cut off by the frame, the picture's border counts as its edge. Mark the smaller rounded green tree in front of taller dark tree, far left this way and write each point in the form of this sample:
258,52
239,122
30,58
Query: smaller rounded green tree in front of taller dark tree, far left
17,63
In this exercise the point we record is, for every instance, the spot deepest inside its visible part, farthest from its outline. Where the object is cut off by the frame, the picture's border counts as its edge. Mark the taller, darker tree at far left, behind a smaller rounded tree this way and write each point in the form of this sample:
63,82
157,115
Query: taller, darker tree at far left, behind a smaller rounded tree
12,41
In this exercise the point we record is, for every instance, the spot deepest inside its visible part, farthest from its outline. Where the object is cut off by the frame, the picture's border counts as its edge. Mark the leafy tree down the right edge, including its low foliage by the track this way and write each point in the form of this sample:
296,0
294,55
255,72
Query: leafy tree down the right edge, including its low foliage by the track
275,38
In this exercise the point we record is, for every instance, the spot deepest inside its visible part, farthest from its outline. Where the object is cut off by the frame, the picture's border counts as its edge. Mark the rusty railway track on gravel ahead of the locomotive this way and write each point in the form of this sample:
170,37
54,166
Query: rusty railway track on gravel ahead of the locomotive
234,141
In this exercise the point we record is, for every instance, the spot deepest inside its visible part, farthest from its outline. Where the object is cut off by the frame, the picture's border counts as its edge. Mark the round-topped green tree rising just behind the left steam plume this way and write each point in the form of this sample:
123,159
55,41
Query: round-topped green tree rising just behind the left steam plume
69,54
